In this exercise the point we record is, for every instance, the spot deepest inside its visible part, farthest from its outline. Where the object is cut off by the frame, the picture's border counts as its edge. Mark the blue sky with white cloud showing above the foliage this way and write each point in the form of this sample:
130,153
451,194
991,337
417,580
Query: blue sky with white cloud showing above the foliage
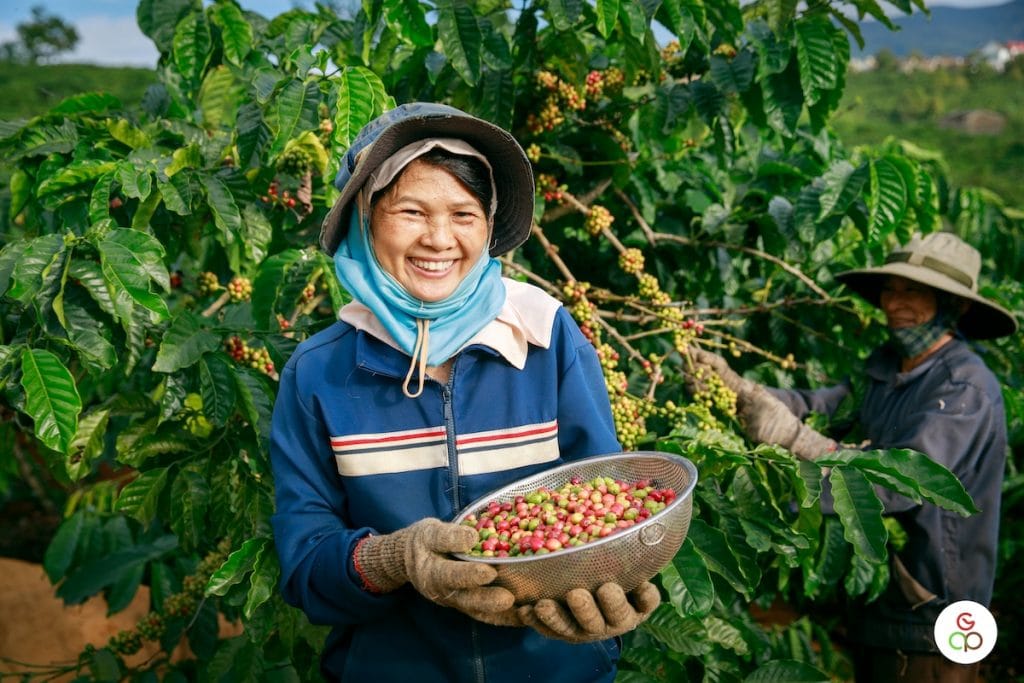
109,34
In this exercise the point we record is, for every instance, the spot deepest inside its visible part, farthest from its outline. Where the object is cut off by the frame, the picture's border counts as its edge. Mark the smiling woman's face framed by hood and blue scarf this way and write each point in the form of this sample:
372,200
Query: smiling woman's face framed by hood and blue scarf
429,231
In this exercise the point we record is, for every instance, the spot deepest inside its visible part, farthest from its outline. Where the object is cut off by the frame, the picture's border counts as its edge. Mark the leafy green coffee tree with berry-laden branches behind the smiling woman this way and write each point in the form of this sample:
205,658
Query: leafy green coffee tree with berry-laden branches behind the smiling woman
159,266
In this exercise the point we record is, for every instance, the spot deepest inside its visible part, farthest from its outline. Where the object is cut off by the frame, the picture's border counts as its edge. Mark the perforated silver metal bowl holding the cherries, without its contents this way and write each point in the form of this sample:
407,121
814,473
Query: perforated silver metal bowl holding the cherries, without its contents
628,558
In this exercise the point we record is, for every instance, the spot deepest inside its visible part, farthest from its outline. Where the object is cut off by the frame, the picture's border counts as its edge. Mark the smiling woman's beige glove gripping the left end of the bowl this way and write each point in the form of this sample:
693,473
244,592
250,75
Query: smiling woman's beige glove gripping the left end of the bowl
420,556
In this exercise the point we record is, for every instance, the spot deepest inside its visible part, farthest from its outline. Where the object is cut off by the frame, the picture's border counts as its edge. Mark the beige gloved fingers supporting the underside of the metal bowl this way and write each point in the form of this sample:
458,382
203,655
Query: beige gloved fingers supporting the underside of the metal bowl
588,617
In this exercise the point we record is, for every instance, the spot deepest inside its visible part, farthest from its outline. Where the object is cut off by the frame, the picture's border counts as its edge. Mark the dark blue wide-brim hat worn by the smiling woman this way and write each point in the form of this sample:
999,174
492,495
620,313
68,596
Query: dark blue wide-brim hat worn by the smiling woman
404,125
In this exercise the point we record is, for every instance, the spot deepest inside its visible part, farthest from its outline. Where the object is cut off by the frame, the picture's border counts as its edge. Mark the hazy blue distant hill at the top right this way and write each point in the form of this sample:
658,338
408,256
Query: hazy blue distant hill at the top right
949,31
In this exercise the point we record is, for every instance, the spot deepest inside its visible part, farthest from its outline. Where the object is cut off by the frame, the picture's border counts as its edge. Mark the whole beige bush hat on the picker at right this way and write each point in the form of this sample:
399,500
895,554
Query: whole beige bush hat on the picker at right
944,262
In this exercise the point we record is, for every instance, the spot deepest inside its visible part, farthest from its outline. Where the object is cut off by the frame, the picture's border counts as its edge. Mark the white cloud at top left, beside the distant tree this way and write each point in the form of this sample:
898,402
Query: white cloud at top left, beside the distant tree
112,41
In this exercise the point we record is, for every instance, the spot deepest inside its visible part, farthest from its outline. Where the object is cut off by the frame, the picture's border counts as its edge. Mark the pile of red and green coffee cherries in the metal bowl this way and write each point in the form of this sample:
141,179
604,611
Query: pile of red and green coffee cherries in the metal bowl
547,521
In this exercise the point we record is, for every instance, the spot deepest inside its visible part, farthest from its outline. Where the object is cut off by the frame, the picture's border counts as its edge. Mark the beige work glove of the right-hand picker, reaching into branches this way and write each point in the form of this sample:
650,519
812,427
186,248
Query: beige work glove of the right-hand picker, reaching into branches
764,418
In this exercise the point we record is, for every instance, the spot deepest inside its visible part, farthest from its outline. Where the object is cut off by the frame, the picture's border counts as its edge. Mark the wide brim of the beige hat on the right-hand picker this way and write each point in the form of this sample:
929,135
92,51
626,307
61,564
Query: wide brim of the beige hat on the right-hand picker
984,320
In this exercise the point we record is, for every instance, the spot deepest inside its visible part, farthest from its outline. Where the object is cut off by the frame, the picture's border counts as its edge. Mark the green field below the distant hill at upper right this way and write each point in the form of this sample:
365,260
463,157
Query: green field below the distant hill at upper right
883,104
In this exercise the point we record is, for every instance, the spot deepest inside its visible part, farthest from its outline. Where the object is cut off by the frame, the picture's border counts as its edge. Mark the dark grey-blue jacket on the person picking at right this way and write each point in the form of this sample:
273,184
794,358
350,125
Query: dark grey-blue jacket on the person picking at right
951,409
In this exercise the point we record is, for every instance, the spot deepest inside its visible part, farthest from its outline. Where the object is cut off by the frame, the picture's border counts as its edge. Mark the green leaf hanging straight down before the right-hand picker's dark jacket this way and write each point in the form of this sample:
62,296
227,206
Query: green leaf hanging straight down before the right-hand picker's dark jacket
861,511
